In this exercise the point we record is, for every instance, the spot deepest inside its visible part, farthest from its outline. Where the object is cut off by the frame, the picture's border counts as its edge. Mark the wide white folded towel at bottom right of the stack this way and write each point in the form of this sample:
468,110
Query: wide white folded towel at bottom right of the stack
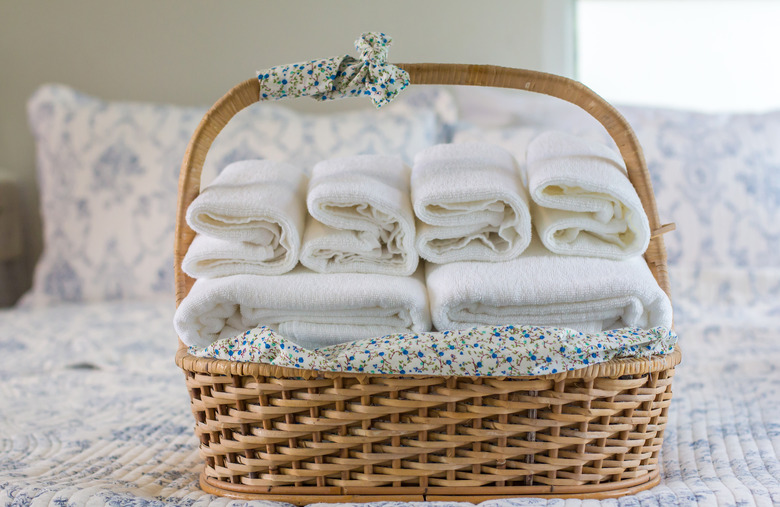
540,288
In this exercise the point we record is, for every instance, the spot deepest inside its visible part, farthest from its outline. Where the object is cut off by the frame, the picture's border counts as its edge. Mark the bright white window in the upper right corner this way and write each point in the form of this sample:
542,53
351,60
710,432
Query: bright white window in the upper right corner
709,55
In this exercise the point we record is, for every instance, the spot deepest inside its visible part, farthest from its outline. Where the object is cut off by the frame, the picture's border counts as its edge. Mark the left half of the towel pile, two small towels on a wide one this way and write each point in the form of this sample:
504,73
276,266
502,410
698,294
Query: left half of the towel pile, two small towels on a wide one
359,275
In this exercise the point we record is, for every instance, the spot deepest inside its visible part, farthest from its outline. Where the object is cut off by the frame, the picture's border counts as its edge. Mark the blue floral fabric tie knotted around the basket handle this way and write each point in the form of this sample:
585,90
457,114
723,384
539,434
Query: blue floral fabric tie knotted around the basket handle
339,77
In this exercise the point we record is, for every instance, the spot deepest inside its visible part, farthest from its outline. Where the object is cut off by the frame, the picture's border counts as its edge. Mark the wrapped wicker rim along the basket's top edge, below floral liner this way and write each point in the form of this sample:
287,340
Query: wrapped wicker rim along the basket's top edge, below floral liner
613,368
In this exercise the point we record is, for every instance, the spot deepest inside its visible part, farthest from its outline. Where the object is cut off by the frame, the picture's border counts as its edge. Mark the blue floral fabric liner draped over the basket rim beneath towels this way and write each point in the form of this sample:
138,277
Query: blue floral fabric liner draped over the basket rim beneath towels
481,351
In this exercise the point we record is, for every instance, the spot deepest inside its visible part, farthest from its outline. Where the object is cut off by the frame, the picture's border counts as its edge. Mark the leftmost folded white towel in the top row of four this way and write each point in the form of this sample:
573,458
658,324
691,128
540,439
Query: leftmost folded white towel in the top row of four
254,201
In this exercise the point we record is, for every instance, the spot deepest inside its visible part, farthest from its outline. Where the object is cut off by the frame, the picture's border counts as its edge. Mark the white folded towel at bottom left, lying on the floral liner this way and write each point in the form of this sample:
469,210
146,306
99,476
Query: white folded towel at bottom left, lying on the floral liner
313,310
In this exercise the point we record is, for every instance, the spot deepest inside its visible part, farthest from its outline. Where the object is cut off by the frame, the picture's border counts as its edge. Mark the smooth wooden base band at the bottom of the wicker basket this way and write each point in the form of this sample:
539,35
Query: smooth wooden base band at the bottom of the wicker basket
340,495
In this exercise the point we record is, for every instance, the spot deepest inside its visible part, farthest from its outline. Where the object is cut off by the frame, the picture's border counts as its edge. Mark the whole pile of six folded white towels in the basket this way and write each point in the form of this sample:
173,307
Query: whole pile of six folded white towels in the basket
464,208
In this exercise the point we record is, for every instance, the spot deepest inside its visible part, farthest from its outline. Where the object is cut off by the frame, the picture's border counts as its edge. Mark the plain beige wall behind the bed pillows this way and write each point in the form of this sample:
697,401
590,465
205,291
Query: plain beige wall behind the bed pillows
190,51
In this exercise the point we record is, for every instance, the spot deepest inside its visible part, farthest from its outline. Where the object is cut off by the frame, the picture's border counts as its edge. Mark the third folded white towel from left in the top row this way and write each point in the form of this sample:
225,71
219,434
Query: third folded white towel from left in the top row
472,202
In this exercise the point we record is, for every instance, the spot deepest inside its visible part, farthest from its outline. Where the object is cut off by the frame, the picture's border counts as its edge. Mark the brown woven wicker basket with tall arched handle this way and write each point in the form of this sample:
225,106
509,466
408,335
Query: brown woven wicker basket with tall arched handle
304,436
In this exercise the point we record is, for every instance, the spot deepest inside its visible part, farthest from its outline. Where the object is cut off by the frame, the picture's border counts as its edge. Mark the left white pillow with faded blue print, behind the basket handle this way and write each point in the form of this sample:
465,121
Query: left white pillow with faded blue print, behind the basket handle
108,174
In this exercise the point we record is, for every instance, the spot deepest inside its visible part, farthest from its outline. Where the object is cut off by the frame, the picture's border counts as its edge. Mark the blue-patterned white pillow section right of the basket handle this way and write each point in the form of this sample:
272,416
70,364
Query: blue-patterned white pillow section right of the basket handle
718,177
